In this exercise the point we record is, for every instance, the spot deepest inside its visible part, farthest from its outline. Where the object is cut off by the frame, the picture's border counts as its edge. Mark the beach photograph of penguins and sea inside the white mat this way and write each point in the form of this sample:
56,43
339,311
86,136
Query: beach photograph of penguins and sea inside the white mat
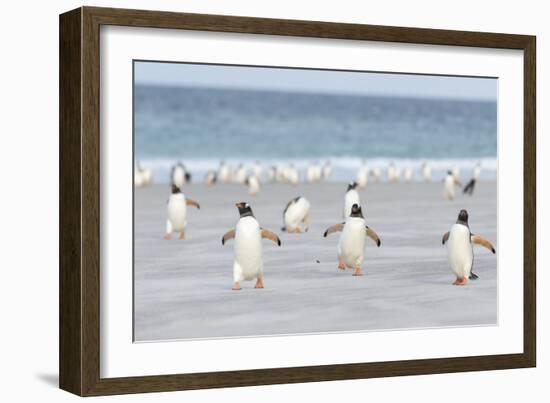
273,201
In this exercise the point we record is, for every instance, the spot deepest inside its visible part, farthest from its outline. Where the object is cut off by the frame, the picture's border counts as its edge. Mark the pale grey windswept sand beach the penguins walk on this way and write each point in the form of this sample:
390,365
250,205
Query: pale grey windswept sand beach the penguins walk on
183,288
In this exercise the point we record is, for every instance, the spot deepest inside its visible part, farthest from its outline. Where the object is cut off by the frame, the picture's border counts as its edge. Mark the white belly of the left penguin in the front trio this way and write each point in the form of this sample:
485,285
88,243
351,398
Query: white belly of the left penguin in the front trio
248,263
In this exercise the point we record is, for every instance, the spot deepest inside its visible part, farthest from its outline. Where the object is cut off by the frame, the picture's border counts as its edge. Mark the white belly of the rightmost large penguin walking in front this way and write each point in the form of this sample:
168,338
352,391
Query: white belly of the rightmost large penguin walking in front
459,250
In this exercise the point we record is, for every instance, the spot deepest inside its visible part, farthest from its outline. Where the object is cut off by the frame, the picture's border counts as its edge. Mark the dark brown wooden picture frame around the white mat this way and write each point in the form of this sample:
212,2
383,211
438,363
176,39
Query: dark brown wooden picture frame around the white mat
79,348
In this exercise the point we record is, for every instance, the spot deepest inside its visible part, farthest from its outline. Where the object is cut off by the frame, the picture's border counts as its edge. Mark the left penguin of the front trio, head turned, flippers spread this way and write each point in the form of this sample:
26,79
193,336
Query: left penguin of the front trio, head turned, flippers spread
248,234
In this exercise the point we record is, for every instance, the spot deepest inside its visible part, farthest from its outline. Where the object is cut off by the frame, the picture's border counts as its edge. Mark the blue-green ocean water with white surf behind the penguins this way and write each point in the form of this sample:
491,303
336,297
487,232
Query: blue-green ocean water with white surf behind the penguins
200,127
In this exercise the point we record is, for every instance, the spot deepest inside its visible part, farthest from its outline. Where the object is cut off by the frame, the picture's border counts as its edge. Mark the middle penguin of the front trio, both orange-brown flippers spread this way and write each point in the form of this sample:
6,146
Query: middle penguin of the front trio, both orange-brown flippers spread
351,247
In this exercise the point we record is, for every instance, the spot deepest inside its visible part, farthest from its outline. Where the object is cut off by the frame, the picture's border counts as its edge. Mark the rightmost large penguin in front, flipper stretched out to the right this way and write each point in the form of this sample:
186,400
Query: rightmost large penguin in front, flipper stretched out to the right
460,250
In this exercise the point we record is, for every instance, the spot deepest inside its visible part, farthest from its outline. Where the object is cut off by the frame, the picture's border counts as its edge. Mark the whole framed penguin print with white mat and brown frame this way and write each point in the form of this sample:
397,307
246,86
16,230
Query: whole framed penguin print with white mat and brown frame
248,201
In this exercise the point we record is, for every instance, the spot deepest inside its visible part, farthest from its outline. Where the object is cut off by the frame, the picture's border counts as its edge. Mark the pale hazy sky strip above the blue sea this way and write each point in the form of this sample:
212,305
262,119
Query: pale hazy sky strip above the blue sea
324,81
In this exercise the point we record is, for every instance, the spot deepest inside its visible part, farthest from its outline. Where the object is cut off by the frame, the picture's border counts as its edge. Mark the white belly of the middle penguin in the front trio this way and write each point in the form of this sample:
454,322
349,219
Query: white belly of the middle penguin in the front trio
351,247
